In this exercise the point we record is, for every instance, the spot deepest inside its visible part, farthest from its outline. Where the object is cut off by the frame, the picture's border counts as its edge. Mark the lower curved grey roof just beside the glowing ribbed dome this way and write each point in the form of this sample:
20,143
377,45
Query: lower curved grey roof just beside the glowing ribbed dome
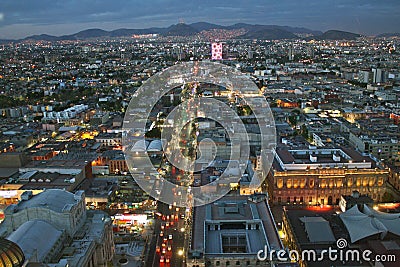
36,238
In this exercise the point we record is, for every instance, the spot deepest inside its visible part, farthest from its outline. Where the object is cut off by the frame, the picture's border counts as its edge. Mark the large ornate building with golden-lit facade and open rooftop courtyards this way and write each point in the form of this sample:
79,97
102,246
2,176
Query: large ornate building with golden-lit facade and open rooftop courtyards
322,176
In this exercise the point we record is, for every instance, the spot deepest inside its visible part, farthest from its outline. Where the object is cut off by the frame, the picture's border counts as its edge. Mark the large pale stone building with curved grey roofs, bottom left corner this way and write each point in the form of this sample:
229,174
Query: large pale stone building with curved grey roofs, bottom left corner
66,233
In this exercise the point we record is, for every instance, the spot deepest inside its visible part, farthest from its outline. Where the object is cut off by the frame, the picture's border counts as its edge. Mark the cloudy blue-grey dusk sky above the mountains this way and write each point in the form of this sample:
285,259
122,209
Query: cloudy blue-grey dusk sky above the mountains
21,18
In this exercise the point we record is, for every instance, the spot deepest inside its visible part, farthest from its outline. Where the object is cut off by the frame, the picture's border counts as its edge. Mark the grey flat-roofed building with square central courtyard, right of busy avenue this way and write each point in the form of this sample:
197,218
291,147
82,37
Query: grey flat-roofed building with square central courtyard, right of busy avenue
234,225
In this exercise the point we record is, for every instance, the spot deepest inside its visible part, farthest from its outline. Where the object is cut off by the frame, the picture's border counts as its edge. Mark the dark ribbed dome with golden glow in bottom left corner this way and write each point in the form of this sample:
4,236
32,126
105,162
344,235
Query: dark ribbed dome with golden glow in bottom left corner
11,254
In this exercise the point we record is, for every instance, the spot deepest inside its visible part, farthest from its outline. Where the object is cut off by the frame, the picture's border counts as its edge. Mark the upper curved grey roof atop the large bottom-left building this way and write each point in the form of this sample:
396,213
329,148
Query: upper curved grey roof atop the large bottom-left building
54,199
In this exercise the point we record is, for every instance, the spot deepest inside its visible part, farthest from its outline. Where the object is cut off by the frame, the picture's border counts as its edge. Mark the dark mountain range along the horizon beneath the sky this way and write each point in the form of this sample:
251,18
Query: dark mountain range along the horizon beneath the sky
248,31
